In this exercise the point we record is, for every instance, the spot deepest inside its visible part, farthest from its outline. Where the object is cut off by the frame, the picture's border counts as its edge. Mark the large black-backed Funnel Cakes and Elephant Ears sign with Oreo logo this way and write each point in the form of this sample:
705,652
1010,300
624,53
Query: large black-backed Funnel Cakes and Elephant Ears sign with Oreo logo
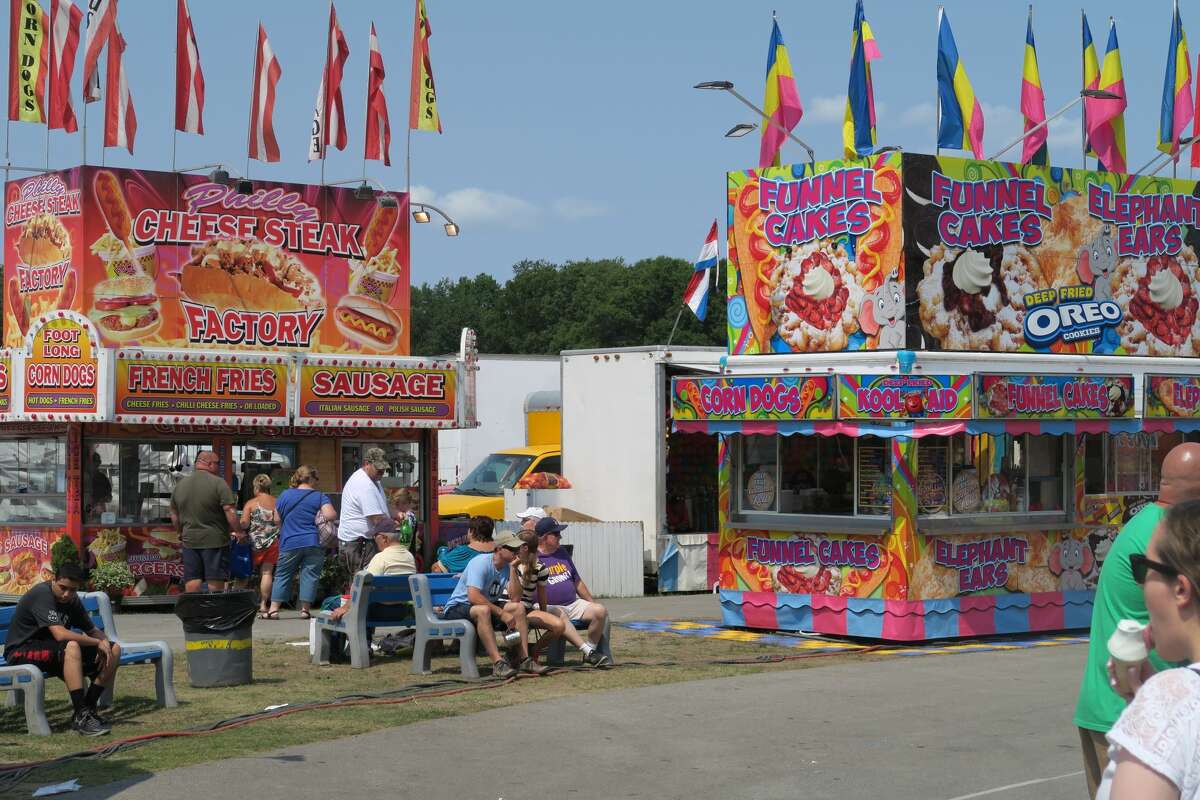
1022,258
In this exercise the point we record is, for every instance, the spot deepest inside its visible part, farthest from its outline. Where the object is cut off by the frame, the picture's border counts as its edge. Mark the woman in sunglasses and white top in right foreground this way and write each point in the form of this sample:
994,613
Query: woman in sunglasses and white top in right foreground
1155,747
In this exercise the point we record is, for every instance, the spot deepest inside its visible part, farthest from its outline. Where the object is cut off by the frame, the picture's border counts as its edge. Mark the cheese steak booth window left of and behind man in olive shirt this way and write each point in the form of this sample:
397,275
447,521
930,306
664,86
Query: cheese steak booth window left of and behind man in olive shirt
129,483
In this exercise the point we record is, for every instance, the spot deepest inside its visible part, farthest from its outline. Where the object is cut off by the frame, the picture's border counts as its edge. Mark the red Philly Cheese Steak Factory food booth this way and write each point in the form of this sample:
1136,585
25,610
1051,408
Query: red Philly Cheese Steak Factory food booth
151,316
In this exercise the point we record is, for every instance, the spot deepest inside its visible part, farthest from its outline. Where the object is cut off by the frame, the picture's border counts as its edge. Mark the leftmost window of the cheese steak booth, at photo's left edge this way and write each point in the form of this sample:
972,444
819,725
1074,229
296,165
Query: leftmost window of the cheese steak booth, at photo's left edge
33,480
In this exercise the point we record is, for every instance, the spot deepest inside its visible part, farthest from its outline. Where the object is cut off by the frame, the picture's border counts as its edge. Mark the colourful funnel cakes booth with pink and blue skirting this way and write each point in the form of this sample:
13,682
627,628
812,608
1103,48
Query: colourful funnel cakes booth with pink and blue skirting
950,384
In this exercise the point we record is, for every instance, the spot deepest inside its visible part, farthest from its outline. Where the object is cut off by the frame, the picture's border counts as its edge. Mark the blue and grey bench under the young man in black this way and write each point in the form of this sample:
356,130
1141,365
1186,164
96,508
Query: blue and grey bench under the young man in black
26,683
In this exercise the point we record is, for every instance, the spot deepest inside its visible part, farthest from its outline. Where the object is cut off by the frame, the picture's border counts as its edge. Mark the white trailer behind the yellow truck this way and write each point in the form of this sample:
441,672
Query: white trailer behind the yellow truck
503,384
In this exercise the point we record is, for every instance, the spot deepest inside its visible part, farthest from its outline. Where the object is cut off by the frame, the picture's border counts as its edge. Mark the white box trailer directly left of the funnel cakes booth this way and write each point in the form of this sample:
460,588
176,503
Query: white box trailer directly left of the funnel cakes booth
616,424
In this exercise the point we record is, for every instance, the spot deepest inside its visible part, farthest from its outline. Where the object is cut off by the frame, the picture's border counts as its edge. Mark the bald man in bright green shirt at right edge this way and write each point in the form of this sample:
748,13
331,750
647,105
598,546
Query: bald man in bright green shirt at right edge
1119,597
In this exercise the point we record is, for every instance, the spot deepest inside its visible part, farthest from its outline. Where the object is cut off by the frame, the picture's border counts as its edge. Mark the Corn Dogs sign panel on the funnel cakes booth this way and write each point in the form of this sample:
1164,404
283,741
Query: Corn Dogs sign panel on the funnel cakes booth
758,398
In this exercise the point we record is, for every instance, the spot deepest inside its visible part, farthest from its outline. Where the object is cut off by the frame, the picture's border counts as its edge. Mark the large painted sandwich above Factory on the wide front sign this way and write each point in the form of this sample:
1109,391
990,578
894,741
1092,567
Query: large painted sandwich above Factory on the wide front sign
249,274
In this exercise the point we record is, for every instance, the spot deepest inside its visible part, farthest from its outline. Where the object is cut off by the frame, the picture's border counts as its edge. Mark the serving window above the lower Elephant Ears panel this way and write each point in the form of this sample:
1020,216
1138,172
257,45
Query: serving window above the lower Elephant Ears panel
982,474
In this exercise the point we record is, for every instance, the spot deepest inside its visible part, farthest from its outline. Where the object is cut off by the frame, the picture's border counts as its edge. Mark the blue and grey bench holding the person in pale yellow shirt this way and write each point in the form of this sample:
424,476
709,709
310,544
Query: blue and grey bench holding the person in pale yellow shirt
367,613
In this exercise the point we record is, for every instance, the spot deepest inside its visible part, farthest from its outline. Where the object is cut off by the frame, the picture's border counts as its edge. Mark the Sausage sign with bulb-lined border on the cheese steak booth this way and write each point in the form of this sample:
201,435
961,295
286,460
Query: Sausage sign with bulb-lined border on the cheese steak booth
376,393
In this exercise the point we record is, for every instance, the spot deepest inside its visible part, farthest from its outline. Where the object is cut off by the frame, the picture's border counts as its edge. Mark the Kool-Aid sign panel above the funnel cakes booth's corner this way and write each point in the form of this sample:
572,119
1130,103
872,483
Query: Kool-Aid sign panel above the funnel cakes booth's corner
904,398
